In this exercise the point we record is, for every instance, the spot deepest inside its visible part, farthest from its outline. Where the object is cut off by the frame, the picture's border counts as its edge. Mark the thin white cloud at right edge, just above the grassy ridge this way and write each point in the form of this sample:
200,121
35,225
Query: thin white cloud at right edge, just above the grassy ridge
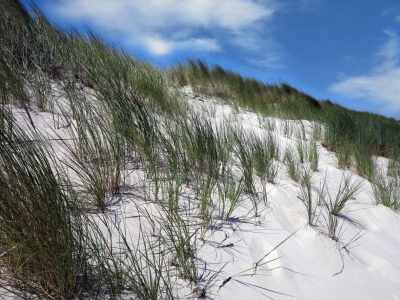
382,85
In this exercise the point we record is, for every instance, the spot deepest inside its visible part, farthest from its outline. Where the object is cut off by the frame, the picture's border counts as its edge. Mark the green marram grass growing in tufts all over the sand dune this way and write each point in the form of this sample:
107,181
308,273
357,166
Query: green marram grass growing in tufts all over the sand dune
126,115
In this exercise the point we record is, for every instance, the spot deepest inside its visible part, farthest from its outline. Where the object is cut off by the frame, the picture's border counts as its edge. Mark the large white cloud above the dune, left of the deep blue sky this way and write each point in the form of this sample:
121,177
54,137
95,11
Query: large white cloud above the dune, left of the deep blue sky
163,26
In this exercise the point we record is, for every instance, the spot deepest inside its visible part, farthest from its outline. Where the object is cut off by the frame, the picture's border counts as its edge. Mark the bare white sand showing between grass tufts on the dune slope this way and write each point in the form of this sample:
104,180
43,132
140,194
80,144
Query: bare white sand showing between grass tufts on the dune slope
309,265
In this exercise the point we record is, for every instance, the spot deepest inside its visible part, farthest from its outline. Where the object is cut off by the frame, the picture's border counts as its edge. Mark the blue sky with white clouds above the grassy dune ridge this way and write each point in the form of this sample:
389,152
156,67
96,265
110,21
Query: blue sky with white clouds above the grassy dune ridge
344,51
